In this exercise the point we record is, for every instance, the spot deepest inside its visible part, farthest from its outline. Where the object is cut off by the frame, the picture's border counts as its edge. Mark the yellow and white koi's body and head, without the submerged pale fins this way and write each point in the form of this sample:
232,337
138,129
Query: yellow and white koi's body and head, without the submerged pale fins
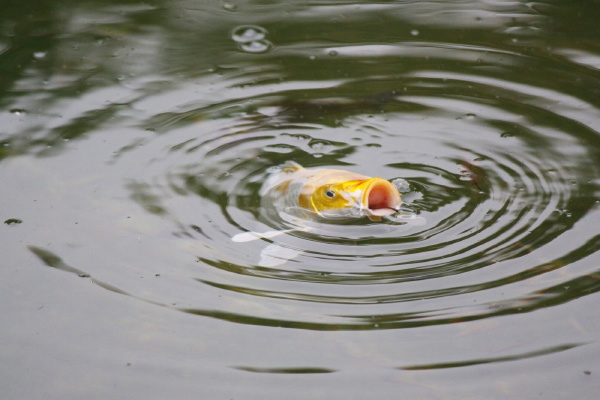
329,193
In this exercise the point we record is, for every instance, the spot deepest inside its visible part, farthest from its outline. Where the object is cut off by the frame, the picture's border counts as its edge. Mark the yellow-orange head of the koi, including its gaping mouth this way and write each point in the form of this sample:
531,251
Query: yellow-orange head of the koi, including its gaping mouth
373,197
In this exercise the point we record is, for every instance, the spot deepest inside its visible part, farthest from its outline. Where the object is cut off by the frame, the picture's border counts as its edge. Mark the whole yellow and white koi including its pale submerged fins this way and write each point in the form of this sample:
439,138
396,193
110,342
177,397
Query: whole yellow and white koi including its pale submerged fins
307,194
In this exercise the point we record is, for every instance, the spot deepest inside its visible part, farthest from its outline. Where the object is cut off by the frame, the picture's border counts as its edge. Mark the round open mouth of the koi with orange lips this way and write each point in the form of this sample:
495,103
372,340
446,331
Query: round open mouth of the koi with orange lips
380,197
